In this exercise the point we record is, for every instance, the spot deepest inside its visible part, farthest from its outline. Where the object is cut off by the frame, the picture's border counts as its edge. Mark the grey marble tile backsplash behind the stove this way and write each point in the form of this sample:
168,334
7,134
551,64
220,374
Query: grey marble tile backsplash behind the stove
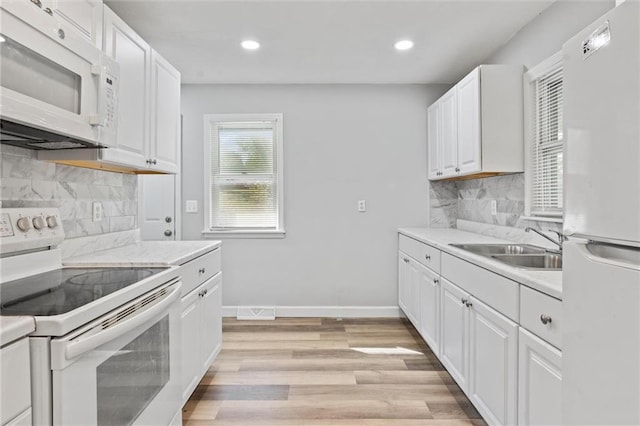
27,182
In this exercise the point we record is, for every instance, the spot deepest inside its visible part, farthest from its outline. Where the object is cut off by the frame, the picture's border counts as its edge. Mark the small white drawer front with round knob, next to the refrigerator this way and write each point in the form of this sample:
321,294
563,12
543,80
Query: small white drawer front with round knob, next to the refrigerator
534,305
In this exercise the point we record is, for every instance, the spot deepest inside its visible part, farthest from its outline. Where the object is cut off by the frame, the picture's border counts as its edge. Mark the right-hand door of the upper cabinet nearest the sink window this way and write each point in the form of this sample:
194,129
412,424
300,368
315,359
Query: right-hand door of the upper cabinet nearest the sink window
469,130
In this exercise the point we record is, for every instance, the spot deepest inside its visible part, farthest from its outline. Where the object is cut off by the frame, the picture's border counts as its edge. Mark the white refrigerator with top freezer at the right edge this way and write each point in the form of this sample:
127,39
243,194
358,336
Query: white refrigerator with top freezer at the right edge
601,272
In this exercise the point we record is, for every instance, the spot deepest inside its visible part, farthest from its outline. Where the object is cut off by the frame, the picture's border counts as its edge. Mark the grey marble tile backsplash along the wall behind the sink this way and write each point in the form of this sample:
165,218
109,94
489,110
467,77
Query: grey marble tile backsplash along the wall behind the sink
470,201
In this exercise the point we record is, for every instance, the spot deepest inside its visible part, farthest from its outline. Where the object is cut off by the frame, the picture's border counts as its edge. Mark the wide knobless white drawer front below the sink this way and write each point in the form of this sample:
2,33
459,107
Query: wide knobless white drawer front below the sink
501,293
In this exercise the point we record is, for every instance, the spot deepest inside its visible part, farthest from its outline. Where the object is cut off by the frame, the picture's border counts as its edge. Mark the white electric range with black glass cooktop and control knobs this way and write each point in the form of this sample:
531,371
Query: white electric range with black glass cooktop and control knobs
106,349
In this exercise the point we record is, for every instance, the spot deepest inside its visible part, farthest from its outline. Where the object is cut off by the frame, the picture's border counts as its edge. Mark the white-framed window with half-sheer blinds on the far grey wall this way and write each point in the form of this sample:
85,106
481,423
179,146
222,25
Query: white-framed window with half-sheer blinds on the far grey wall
244,179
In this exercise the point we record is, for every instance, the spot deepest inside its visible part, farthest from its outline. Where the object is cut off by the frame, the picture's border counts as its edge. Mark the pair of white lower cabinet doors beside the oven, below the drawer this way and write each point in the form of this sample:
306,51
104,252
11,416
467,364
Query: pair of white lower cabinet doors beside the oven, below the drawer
201,332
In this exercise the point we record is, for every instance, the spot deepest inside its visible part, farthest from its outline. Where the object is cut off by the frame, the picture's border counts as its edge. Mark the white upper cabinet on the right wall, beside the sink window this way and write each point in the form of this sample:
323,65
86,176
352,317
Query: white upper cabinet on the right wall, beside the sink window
476,128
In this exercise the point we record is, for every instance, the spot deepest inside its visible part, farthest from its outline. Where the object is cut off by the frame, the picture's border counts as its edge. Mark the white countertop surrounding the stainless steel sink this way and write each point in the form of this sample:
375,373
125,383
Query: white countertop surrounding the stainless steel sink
548,282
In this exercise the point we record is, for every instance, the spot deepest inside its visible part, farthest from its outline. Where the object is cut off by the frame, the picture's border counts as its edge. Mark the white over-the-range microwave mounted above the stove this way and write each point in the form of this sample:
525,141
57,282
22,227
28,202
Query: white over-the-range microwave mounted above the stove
57,91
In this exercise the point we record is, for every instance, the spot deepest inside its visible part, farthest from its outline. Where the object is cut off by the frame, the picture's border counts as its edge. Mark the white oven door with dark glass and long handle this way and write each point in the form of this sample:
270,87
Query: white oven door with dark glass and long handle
123,368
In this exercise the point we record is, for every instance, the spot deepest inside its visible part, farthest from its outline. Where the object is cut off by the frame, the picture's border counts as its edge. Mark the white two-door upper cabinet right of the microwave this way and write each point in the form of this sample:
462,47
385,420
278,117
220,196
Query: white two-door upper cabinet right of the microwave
149,102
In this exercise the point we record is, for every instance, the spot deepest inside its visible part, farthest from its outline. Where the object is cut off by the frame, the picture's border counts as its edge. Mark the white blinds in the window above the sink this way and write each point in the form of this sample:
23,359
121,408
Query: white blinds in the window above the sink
547,138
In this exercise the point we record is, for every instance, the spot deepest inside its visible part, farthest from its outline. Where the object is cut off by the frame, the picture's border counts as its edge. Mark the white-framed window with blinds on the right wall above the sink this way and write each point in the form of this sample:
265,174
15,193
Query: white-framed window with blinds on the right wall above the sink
544,139
